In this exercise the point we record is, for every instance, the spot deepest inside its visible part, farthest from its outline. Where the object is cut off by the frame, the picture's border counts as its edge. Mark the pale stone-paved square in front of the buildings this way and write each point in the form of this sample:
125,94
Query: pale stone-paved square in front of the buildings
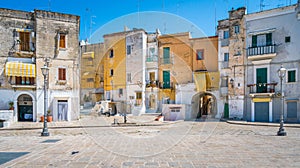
177,144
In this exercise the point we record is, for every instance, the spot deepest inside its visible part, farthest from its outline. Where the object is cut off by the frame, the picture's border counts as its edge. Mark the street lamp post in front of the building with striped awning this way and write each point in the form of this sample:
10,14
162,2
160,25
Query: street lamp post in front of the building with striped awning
45,71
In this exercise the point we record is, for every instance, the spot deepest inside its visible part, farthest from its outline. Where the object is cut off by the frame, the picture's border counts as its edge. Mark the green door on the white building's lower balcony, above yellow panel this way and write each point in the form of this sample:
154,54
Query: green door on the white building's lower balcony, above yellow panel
261,80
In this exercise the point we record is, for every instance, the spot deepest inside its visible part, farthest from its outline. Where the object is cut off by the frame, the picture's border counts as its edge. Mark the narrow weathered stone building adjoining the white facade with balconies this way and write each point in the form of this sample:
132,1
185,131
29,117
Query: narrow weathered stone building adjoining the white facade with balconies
231,34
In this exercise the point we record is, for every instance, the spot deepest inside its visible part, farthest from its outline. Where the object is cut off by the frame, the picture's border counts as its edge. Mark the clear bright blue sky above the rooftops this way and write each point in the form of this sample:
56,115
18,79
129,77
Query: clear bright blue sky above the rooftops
100,17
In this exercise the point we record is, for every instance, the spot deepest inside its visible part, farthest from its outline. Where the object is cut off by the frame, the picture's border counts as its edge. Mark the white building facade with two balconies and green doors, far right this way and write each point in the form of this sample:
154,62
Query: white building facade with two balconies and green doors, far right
270,45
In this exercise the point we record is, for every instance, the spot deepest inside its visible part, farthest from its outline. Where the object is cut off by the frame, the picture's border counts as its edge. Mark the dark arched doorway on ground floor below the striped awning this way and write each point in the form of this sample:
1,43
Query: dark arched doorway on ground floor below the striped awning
25,108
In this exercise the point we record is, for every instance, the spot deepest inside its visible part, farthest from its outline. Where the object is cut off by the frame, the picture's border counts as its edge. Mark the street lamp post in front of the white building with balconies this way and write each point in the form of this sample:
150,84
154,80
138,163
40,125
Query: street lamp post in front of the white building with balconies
281,74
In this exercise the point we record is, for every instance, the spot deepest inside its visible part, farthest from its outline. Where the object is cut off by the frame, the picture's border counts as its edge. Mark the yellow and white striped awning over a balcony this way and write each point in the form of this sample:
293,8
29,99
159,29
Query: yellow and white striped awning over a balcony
20,69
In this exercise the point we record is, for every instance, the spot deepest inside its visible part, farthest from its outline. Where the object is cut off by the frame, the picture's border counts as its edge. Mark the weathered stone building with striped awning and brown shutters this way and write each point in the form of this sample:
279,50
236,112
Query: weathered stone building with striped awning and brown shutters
29,40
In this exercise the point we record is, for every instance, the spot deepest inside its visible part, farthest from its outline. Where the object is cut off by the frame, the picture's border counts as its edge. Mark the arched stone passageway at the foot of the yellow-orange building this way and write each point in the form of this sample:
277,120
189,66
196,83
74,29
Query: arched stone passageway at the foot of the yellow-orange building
204,104
